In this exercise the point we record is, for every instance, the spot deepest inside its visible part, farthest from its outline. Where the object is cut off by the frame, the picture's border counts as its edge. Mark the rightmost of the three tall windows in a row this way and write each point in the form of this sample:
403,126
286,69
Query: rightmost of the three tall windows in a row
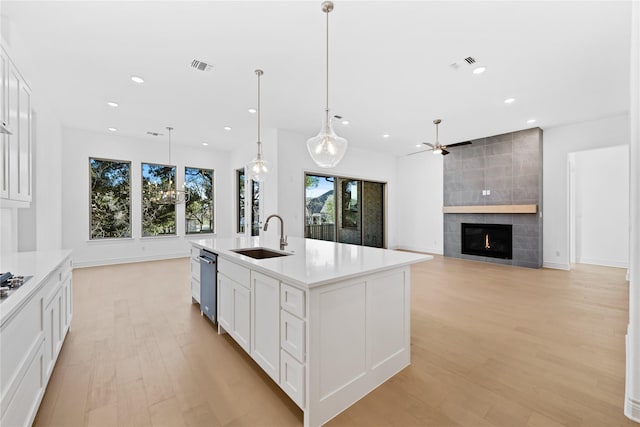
198,183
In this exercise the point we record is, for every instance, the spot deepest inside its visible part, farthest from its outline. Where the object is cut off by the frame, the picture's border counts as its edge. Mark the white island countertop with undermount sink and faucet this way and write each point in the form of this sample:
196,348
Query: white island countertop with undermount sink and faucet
313,262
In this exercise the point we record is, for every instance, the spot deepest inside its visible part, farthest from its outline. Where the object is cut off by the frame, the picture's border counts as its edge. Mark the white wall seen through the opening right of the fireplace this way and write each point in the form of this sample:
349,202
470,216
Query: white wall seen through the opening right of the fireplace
602,206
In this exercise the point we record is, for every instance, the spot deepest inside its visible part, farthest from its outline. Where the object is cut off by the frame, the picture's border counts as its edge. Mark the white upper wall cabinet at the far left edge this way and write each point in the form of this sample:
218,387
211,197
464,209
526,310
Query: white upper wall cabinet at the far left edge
17,149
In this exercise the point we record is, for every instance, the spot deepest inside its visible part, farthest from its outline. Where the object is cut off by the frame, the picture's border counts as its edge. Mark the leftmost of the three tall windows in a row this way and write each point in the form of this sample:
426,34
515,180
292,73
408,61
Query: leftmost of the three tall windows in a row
110,199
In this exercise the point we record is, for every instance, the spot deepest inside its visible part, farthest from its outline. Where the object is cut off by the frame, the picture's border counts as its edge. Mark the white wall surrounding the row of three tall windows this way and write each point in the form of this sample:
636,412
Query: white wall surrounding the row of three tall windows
79,145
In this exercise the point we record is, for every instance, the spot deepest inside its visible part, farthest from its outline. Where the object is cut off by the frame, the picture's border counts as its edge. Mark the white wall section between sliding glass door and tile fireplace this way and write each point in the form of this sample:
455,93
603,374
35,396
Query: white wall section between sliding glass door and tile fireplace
420,198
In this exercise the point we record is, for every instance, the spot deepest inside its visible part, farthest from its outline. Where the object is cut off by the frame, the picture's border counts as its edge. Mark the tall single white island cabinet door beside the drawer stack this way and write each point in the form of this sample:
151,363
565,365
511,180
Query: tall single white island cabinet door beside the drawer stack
265,323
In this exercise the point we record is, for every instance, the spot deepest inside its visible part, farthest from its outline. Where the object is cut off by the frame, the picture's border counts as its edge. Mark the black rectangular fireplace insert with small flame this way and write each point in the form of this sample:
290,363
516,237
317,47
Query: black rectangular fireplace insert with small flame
490,240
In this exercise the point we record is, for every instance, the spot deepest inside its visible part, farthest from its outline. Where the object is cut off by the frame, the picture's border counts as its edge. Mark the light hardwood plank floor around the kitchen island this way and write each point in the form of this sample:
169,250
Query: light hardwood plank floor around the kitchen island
492,346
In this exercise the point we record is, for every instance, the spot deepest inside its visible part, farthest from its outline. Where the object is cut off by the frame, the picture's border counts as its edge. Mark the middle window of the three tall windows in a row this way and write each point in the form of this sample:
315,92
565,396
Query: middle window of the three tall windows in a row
158,219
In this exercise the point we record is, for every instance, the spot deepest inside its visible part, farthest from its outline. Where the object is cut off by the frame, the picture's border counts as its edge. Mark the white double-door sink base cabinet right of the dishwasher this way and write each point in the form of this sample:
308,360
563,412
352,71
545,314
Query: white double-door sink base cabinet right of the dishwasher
234,302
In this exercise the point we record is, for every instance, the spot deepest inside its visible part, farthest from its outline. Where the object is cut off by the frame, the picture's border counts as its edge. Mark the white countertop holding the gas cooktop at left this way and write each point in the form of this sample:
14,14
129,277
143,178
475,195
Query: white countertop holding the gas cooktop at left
38,264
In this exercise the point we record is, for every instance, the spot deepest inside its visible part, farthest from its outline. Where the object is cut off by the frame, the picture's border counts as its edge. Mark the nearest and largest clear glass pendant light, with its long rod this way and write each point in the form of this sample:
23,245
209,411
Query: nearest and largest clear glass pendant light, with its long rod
327,149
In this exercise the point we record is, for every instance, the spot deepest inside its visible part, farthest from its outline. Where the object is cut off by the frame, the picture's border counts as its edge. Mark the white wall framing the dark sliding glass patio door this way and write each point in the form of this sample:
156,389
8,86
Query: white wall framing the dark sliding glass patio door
294,161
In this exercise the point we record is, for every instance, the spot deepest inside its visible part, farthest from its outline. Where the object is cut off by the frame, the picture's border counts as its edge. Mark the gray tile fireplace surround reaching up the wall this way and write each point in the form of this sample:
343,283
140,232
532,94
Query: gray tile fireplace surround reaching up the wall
498,170
